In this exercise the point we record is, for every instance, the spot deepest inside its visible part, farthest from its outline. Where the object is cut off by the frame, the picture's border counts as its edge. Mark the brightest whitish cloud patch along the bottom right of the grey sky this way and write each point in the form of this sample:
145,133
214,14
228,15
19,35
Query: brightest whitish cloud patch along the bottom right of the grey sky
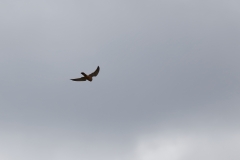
188,146
